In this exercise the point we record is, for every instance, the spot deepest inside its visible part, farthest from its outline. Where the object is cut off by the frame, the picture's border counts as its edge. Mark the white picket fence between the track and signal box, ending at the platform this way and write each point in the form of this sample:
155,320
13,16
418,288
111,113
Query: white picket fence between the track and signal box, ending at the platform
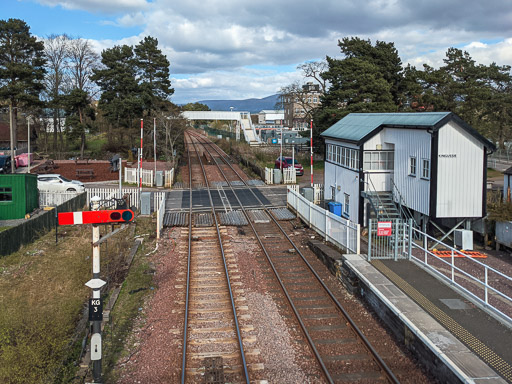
339,231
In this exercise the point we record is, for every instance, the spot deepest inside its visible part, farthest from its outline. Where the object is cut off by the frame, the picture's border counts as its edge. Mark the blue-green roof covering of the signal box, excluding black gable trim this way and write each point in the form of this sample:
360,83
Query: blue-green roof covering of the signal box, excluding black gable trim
356,126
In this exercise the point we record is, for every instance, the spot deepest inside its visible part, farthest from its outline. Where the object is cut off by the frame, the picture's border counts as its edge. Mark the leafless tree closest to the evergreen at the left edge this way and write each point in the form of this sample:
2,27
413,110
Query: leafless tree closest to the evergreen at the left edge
56,54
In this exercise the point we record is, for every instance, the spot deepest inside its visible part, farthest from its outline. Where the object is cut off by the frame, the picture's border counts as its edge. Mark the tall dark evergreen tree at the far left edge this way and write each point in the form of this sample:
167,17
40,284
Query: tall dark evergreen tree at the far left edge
21,66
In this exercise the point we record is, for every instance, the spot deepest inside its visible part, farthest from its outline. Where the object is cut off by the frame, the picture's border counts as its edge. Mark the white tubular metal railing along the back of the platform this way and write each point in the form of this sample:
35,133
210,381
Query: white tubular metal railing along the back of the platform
483,284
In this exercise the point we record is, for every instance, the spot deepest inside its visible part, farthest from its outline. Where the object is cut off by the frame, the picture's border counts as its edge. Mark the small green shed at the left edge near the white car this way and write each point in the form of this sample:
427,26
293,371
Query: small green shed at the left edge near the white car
18,195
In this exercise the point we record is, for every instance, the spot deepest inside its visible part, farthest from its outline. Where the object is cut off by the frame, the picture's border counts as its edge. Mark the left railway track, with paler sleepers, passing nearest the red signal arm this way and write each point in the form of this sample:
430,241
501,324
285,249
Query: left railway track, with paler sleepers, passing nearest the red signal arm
213,351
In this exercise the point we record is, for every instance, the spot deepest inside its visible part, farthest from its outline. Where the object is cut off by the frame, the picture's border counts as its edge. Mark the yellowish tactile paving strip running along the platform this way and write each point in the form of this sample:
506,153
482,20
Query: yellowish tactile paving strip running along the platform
473,343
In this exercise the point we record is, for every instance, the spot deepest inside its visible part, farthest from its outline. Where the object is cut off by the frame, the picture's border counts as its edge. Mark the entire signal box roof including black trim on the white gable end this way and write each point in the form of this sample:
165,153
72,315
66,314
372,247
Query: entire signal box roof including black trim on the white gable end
358,127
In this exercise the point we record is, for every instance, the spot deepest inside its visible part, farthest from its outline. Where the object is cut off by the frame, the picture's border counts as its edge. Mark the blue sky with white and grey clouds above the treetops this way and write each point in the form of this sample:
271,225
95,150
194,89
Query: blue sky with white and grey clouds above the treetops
228,49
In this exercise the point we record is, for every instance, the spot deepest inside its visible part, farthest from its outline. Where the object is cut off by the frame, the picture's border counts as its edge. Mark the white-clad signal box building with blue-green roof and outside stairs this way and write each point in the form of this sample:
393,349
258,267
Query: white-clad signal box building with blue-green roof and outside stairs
429,166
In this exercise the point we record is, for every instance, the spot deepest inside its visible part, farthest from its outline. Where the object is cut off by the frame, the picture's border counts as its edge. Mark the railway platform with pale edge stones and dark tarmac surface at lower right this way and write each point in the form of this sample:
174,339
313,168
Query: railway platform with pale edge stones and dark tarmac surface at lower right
457,340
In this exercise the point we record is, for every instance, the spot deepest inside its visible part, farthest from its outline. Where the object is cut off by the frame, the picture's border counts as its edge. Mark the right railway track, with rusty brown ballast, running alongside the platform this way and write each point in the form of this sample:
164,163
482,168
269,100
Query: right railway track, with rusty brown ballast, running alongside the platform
341,350
